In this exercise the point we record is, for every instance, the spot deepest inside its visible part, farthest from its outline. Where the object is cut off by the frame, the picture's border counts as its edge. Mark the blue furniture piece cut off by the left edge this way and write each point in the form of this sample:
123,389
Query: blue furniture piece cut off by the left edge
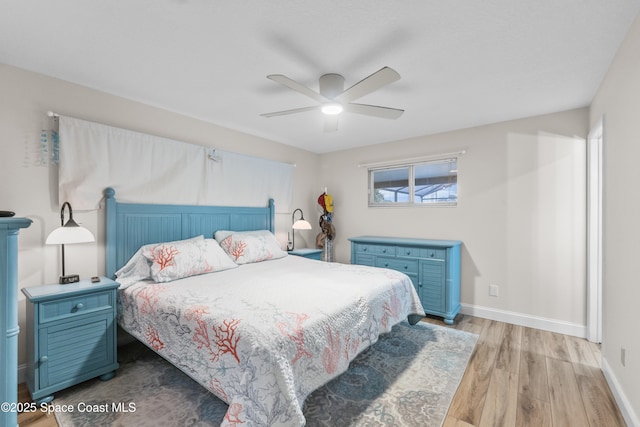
9,229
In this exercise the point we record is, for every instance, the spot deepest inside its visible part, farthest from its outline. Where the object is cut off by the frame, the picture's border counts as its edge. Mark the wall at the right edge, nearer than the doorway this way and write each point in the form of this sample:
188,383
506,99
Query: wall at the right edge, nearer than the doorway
618,101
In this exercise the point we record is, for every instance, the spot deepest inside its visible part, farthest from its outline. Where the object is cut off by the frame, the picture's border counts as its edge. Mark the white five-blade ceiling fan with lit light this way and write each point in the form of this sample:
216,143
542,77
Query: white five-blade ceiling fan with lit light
333,99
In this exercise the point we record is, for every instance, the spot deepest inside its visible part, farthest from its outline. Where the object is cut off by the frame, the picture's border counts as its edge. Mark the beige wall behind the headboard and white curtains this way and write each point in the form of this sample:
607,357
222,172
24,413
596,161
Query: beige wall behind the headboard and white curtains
30,190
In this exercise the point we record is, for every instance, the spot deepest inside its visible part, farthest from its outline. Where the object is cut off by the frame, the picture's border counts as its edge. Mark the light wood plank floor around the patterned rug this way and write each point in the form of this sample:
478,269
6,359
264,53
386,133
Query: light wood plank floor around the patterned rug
517,376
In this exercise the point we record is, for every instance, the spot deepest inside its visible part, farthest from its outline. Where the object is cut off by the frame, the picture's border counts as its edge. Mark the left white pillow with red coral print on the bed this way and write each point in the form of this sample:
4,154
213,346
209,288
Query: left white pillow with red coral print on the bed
182,258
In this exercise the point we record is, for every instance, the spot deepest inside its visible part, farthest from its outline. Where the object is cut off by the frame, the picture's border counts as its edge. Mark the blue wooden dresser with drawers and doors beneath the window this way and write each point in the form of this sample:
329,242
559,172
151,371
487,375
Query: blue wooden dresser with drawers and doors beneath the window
432,265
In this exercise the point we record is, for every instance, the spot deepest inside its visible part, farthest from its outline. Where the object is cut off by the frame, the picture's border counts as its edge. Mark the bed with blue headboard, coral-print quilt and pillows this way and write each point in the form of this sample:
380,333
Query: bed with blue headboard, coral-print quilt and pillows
261,332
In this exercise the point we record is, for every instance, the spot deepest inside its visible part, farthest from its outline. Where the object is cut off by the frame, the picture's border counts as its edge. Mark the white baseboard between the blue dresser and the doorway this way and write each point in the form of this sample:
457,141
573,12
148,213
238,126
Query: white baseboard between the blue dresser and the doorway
546,324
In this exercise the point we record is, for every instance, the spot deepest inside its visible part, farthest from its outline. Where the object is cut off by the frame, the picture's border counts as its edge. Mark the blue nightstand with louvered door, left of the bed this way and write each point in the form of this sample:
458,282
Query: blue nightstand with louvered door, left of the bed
71,335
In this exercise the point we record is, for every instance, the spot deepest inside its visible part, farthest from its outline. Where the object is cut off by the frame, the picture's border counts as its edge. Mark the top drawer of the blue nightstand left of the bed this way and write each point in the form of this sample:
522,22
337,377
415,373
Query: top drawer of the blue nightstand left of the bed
75,306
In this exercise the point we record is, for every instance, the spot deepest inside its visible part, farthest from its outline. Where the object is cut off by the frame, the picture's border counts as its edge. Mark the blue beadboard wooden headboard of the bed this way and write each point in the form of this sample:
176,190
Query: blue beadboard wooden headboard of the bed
131,225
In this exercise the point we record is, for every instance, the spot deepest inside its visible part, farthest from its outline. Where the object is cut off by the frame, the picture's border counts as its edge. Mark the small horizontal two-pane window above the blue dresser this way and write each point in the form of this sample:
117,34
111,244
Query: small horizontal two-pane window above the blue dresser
424,183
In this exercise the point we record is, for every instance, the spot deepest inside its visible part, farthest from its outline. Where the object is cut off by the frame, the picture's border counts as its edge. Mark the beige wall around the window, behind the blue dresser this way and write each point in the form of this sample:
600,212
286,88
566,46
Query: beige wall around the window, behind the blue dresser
521,213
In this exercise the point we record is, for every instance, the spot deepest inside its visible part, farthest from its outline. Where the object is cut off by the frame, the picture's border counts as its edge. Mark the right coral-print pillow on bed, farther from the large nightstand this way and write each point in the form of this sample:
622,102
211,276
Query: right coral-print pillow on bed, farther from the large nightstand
245,247
